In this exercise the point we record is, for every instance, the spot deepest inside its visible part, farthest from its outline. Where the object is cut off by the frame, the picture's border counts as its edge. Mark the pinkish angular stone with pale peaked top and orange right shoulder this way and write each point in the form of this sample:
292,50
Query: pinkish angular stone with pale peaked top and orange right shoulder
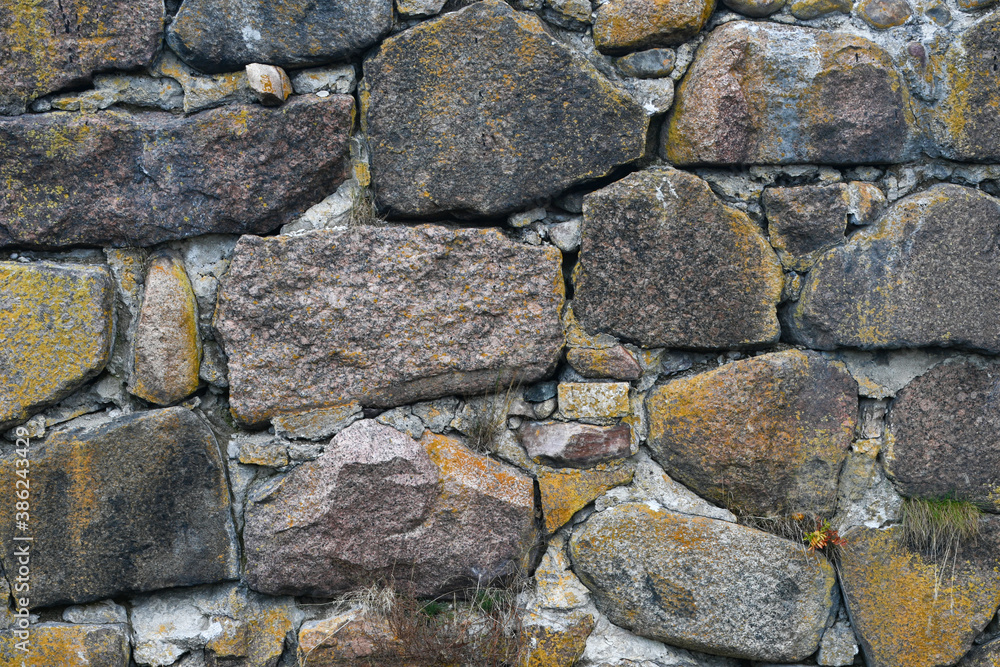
378,502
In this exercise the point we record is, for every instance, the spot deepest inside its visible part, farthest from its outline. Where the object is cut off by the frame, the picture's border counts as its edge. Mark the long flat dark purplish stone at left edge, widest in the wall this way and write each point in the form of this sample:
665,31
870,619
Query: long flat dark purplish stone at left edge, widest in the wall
156,176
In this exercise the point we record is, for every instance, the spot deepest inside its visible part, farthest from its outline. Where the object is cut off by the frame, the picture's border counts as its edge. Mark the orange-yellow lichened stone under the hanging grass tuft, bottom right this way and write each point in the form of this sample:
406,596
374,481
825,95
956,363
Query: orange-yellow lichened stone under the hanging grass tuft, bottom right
913,612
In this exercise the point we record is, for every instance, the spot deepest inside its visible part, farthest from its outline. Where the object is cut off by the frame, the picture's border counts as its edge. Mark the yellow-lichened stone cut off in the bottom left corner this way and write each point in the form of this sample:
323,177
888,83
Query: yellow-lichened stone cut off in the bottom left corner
67,645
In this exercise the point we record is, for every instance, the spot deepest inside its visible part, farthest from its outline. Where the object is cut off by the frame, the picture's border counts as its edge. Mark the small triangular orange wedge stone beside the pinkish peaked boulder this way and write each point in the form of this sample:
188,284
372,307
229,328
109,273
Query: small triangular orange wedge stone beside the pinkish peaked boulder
566,491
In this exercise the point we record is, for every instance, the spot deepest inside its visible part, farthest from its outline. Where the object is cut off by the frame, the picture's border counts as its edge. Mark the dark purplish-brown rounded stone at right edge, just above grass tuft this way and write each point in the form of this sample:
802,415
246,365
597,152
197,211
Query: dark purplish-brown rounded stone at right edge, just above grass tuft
942,431
